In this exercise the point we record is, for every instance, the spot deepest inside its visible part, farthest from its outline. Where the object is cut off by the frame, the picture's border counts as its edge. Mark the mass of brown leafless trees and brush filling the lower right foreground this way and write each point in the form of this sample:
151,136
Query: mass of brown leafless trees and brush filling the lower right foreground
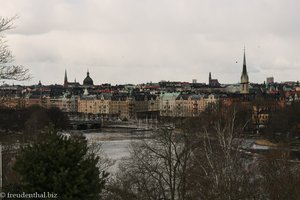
204,163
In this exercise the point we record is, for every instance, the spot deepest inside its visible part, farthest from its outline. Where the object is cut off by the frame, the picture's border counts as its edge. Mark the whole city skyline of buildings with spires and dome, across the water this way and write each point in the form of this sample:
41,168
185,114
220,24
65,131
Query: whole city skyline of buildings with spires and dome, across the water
170,99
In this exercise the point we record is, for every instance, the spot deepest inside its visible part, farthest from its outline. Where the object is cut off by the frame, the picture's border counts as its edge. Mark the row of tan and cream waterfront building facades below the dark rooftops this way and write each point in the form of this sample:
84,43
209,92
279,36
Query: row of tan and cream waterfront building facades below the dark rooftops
123,105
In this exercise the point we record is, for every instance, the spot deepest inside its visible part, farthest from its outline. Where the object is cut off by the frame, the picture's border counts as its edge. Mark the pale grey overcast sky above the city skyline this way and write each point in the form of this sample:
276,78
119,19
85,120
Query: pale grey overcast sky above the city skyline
136,41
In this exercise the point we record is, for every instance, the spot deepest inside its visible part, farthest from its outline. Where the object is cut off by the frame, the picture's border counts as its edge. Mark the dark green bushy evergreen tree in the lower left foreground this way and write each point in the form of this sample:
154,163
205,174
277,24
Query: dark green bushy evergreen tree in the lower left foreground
62,165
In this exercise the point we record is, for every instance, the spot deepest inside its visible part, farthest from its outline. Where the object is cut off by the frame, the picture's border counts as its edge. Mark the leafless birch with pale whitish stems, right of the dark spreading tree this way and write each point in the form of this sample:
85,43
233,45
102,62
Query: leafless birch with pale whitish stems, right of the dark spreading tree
220,170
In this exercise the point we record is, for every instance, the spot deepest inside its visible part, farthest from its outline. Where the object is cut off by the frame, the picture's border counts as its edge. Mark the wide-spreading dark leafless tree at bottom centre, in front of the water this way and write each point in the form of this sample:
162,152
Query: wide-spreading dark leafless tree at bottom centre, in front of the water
157,168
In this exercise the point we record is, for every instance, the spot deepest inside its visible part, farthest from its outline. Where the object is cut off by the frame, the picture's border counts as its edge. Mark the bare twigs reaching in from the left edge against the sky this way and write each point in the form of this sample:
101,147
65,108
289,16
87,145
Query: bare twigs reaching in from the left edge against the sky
8,71
